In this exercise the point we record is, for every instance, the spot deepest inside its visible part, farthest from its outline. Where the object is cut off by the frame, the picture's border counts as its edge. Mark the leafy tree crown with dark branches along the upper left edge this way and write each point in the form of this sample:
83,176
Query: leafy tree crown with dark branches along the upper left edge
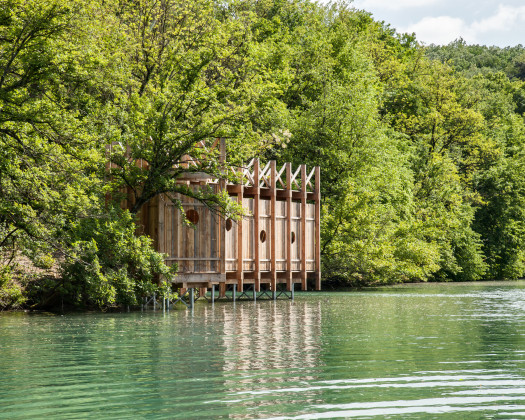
43,155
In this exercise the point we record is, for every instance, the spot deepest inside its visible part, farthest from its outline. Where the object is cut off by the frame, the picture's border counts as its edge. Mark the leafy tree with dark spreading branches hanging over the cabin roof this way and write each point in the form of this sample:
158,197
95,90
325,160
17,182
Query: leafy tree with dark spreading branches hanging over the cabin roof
195,73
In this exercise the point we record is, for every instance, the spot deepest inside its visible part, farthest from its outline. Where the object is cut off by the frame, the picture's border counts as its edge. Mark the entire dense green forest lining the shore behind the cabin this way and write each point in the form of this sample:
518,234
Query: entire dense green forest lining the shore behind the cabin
421,148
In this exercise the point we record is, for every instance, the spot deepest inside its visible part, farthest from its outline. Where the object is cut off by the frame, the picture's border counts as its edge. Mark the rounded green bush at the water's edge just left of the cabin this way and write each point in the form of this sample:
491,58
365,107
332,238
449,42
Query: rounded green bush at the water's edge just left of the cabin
109,264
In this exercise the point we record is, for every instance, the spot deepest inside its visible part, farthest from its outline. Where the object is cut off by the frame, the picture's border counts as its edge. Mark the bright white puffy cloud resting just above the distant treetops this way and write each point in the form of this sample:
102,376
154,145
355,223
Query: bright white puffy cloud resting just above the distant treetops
440,30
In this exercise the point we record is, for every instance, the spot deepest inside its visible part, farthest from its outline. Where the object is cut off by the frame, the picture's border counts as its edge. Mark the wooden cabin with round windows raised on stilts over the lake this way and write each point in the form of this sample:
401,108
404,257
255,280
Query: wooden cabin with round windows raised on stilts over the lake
277,242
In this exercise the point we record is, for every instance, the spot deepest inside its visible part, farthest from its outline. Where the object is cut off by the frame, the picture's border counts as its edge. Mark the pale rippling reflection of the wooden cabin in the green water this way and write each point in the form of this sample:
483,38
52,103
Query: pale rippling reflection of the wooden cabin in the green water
267,346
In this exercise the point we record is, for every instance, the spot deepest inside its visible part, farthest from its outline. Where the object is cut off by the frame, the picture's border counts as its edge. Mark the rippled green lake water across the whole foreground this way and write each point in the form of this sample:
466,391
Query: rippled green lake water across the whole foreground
430,351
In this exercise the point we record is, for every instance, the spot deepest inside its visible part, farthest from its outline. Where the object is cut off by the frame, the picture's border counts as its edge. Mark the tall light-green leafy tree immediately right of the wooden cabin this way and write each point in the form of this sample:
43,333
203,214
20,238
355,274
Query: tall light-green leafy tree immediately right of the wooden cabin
333,98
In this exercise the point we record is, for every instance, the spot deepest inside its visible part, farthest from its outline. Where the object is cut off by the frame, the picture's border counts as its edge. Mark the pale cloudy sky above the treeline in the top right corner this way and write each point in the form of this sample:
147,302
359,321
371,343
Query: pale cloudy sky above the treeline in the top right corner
499,22
